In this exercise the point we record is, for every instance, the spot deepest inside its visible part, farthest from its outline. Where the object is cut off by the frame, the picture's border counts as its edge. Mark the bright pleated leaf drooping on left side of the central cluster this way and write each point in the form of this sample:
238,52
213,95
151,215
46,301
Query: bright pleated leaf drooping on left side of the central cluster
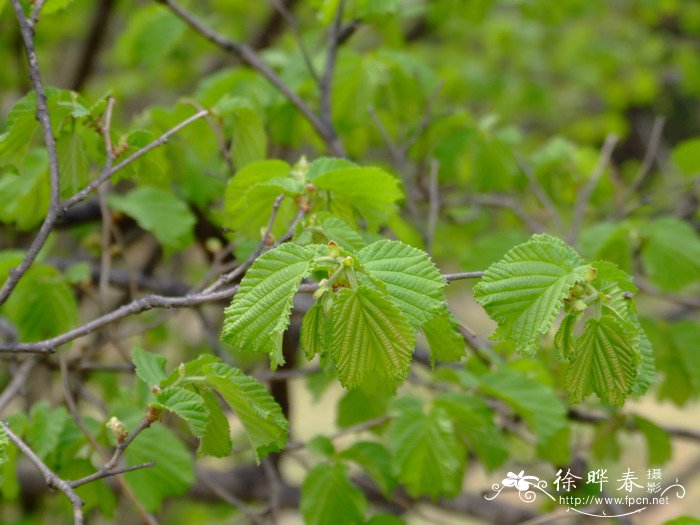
259,313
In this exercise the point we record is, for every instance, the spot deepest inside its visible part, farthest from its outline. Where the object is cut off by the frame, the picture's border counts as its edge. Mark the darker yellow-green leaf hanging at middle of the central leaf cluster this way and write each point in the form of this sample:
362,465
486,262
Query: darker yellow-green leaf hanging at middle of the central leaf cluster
372,340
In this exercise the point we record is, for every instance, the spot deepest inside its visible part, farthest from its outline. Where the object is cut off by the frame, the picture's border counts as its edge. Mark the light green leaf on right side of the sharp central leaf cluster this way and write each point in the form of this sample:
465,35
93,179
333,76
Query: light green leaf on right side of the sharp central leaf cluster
412,280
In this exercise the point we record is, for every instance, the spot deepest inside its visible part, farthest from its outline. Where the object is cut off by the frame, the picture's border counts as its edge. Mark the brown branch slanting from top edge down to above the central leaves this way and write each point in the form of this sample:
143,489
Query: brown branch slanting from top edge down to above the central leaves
248,55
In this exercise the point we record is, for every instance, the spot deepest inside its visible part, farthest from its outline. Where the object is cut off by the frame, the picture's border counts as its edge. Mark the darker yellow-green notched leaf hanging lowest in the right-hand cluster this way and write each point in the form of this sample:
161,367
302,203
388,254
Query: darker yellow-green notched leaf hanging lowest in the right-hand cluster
605,361
